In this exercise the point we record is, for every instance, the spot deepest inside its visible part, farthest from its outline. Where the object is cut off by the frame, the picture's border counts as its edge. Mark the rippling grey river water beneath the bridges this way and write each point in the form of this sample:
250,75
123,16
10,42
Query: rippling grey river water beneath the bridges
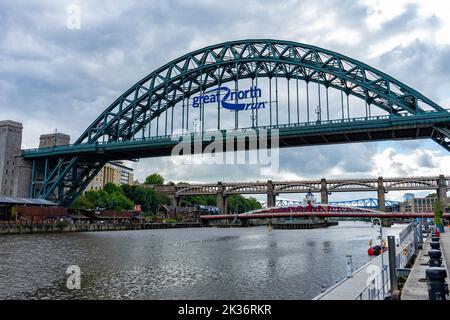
200,263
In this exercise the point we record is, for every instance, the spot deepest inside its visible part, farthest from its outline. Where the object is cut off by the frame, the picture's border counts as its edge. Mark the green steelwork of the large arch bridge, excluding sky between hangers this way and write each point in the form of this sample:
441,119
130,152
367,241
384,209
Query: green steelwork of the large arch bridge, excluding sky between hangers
126,125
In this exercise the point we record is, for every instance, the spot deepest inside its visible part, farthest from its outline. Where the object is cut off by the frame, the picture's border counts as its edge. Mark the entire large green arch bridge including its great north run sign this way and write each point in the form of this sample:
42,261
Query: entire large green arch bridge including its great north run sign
302,94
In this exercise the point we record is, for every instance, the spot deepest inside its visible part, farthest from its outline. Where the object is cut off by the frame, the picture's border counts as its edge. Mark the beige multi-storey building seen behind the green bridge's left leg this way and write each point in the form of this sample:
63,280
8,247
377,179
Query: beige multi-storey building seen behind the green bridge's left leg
113,172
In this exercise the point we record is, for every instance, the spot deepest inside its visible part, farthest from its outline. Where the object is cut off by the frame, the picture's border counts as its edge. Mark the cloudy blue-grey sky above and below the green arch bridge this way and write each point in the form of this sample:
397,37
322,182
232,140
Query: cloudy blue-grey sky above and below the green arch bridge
57,78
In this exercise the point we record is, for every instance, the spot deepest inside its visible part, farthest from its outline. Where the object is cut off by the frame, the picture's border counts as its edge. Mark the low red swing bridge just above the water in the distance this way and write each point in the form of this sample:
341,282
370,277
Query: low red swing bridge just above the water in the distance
318,211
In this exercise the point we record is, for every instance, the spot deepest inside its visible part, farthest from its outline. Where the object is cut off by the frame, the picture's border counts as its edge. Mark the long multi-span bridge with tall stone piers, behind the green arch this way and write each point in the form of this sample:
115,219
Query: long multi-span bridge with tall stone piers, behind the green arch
325,187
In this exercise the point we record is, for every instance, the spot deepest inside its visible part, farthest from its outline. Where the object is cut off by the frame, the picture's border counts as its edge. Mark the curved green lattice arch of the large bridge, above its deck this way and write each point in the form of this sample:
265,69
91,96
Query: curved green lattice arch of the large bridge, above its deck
249,59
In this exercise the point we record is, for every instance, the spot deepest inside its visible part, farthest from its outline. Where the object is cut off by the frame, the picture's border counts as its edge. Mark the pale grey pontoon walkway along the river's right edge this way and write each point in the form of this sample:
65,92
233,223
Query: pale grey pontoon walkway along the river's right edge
350,288
